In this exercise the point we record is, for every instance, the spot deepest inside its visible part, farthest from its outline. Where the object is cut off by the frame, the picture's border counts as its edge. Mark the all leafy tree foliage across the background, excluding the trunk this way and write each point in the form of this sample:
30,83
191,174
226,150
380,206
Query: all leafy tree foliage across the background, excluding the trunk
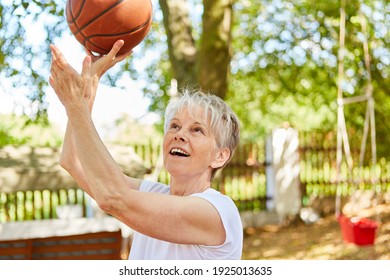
284,65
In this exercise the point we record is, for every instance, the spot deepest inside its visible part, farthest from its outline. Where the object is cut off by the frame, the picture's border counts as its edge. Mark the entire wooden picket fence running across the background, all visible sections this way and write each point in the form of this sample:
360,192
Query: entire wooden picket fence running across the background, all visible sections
243,179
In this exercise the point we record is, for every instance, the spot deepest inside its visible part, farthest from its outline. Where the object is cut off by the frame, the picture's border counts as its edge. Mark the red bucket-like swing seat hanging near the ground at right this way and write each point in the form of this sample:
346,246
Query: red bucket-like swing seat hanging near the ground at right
360,231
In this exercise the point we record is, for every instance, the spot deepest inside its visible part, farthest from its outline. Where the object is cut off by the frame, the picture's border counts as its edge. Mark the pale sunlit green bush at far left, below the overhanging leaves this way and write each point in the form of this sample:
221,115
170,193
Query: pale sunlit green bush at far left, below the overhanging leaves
19,130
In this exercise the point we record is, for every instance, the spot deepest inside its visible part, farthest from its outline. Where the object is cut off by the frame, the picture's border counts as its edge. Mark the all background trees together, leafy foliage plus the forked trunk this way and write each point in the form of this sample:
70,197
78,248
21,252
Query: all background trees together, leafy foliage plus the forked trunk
272,60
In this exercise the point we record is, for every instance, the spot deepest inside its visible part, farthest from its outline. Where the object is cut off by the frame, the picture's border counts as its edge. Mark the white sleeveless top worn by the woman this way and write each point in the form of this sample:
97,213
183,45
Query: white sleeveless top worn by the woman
146,248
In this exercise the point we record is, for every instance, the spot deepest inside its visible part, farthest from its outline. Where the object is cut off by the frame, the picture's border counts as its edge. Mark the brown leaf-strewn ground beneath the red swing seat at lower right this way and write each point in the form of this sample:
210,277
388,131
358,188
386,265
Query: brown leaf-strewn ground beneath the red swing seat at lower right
322,240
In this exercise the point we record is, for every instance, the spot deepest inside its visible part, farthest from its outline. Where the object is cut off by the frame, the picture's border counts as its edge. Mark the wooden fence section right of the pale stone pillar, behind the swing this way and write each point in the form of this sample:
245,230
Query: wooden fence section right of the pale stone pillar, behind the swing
318,168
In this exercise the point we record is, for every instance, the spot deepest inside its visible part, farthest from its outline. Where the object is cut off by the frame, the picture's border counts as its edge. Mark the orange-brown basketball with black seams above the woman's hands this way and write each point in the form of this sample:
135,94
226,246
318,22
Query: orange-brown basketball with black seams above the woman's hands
98,24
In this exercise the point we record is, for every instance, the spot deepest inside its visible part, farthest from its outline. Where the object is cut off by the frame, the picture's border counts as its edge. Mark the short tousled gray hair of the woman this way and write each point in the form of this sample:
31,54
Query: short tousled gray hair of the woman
224,122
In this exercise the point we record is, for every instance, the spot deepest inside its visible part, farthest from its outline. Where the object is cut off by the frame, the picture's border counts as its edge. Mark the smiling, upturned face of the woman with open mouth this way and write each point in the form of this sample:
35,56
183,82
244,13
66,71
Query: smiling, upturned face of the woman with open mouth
189,145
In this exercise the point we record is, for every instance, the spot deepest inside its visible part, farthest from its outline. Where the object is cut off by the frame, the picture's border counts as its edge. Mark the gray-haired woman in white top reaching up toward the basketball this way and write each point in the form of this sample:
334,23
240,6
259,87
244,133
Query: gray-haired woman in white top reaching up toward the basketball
186,219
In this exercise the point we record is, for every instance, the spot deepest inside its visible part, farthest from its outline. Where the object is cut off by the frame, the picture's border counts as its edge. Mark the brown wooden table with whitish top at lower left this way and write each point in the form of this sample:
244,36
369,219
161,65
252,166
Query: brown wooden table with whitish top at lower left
82,238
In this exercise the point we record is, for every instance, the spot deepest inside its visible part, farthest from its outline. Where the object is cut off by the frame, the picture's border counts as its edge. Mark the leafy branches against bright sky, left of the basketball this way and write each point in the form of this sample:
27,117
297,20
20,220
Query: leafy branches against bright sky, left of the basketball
24,60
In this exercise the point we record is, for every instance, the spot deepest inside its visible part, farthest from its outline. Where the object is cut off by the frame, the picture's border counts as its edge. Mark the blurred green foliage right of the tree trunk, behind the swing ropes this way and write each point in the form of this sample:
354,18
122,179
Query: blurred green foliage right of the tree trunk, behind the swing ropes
286,58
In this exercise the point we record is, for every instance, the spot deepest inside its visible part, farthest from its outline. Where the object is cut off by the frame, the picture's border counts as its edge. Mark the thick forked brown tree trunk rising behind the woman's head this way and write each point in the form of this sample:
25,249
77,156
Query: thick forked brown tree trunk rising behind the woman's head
210,67
